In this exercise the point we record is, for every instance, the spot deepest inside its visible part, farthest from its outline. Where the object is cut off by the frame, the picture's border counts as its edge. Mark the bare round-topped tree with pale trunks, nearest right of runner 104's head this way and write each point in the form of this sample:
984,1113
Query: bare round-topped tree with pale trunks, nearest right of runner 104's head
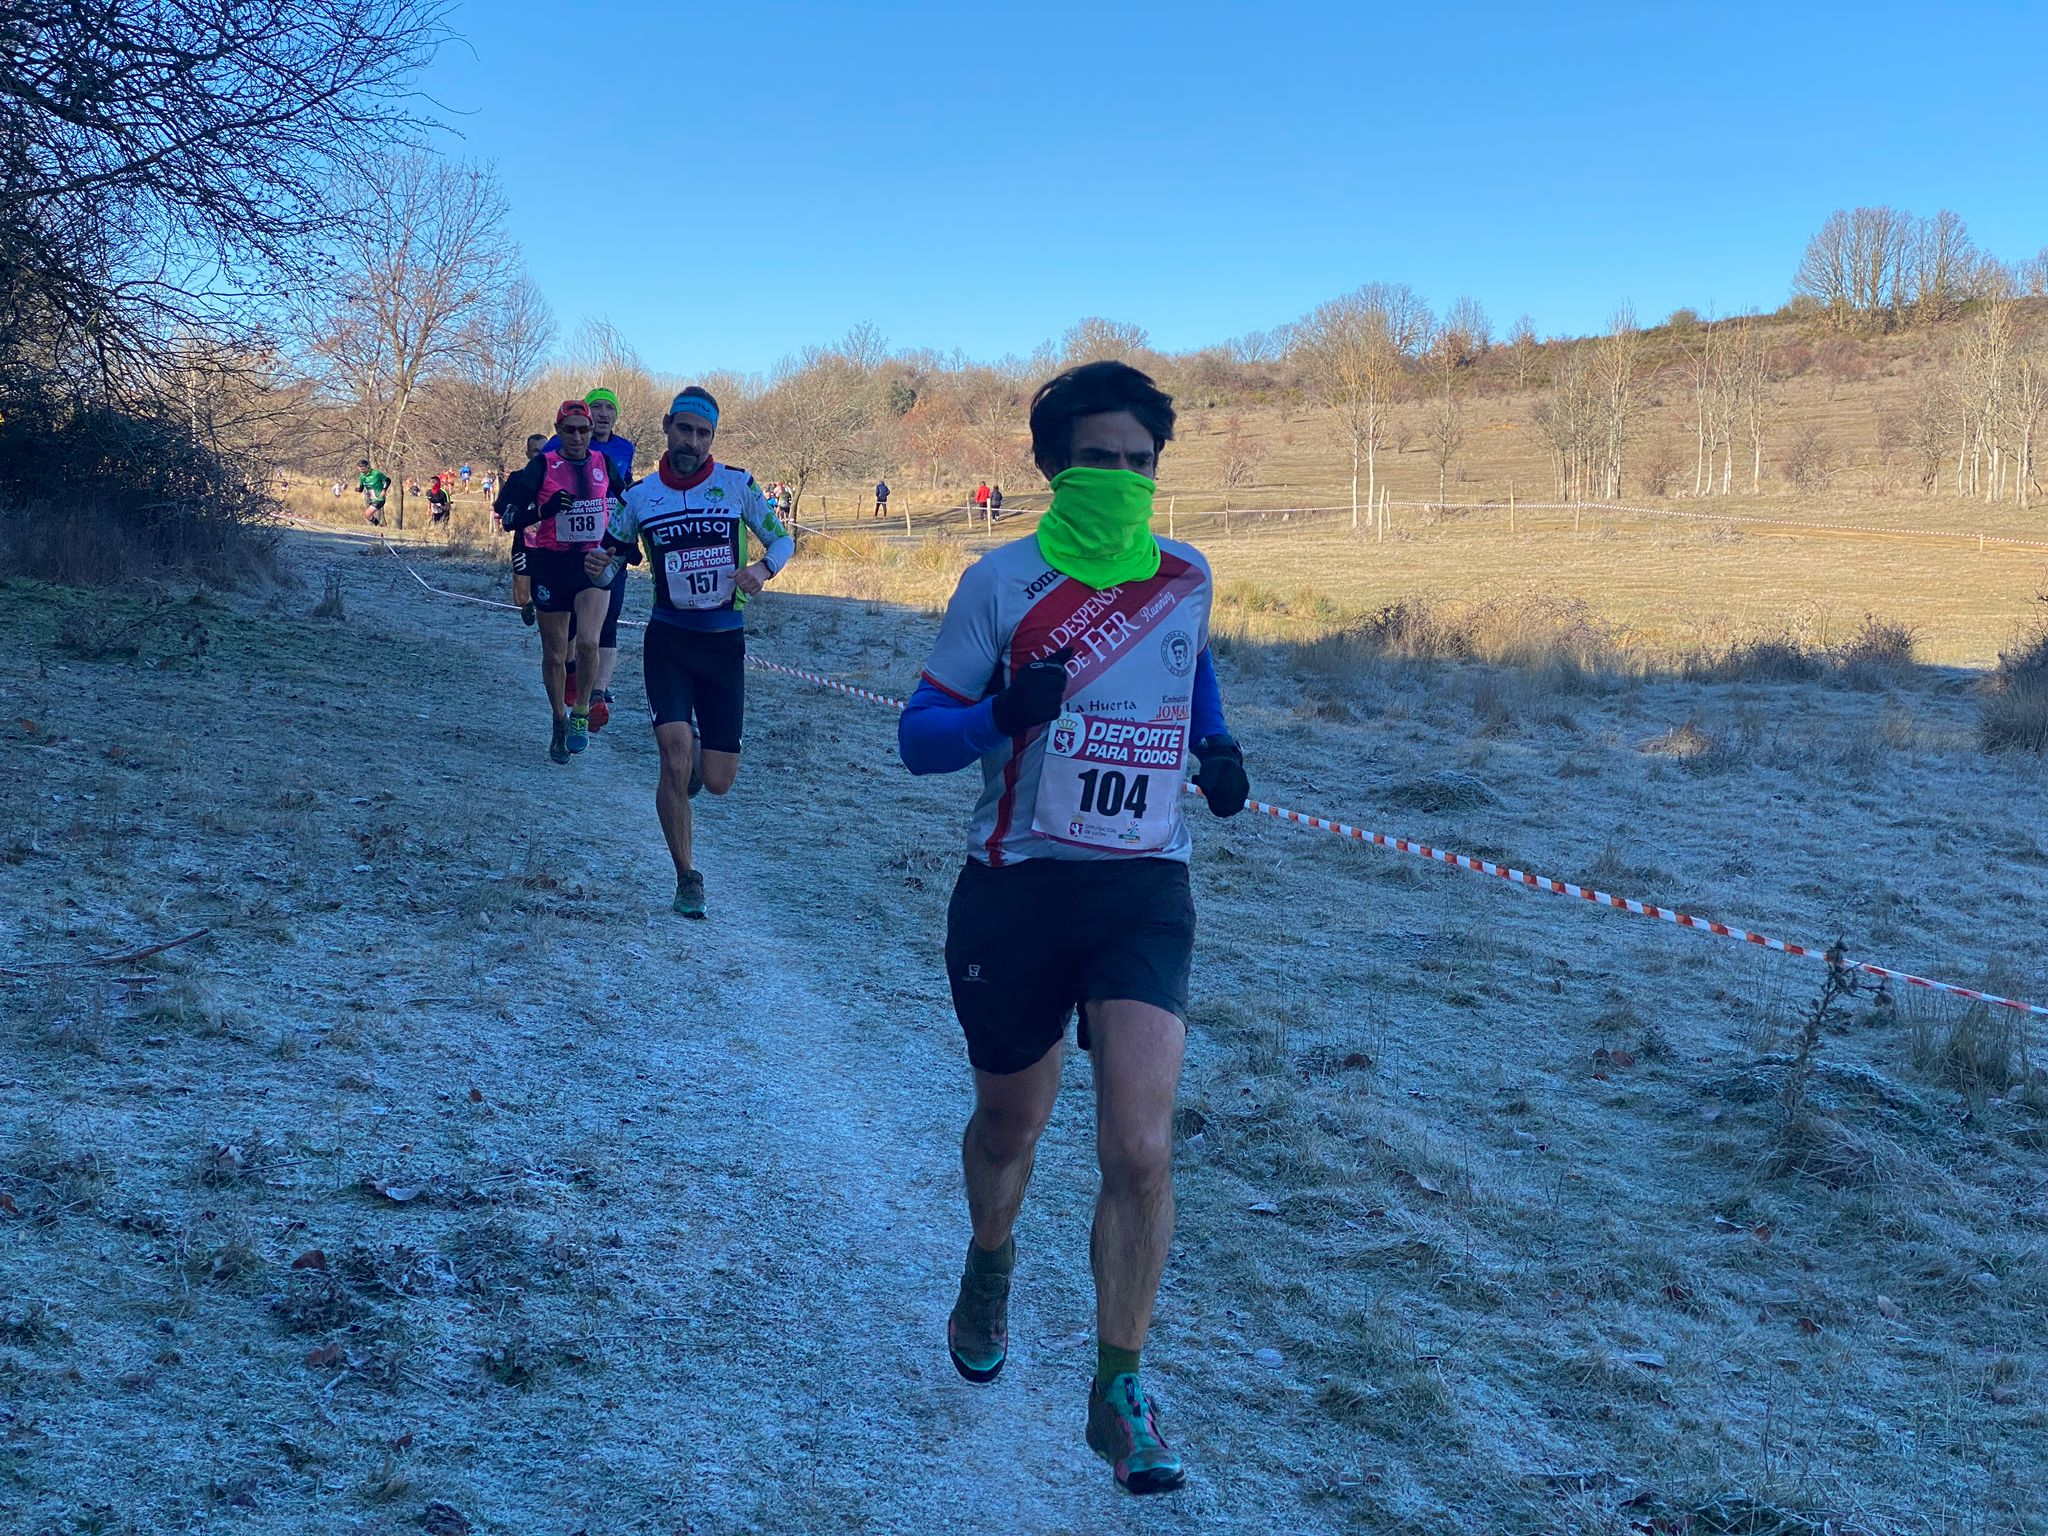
1355,351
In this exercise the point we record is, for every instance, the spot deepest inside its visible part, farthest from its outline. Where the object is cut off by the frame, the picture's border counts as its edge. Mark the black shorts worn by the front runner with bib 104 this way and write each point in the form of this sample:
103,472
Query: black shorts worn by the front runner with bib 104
1031,943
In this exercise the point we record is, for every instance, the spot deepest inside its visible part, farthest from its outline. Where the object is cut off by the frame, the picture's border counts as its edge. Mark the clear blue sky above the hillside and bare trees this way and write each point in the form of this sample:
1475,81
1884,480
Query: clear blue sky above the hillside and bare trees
984,175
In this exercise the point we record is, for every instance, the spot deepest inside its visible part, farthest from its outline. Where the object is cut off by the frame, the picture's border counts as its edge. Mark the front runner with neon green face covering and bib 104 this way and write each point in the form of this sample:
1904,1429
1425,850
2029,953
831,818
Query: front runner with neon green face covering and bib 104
1074,667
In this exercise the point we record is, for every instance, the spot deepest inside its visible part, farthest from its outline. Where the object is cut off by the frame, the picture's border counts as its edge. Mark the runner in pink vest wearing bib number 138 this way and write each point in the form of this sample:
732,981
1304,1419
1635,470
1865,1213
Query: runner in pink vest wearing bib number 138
564,503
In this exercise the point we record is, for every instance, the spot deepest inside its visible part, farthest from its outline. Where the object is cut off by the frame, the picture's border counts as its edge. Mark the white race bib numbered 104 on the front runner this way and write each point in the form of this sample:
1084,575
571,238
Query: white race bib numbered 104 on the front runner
1109,783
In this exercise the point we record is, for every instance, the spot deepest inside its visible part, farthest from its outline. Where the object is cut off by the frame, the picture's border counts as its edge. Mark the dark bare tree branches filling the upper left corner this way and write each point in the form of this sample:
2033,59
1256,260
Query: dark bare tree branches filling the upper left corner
167,165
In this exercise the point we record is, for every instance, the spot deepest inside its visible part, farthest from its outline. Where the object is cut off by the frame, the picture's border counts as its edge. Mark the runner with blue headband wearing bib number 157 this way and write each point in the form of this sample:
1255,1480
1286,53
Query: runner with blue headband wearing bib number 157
693,521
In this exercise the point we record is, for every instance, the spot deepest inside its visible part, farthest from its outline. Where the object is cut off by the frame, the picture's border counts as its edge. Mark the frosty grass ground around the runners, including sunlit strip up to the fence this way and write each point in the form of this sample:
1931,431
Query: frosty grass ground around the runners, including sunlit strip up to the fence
452,1185
